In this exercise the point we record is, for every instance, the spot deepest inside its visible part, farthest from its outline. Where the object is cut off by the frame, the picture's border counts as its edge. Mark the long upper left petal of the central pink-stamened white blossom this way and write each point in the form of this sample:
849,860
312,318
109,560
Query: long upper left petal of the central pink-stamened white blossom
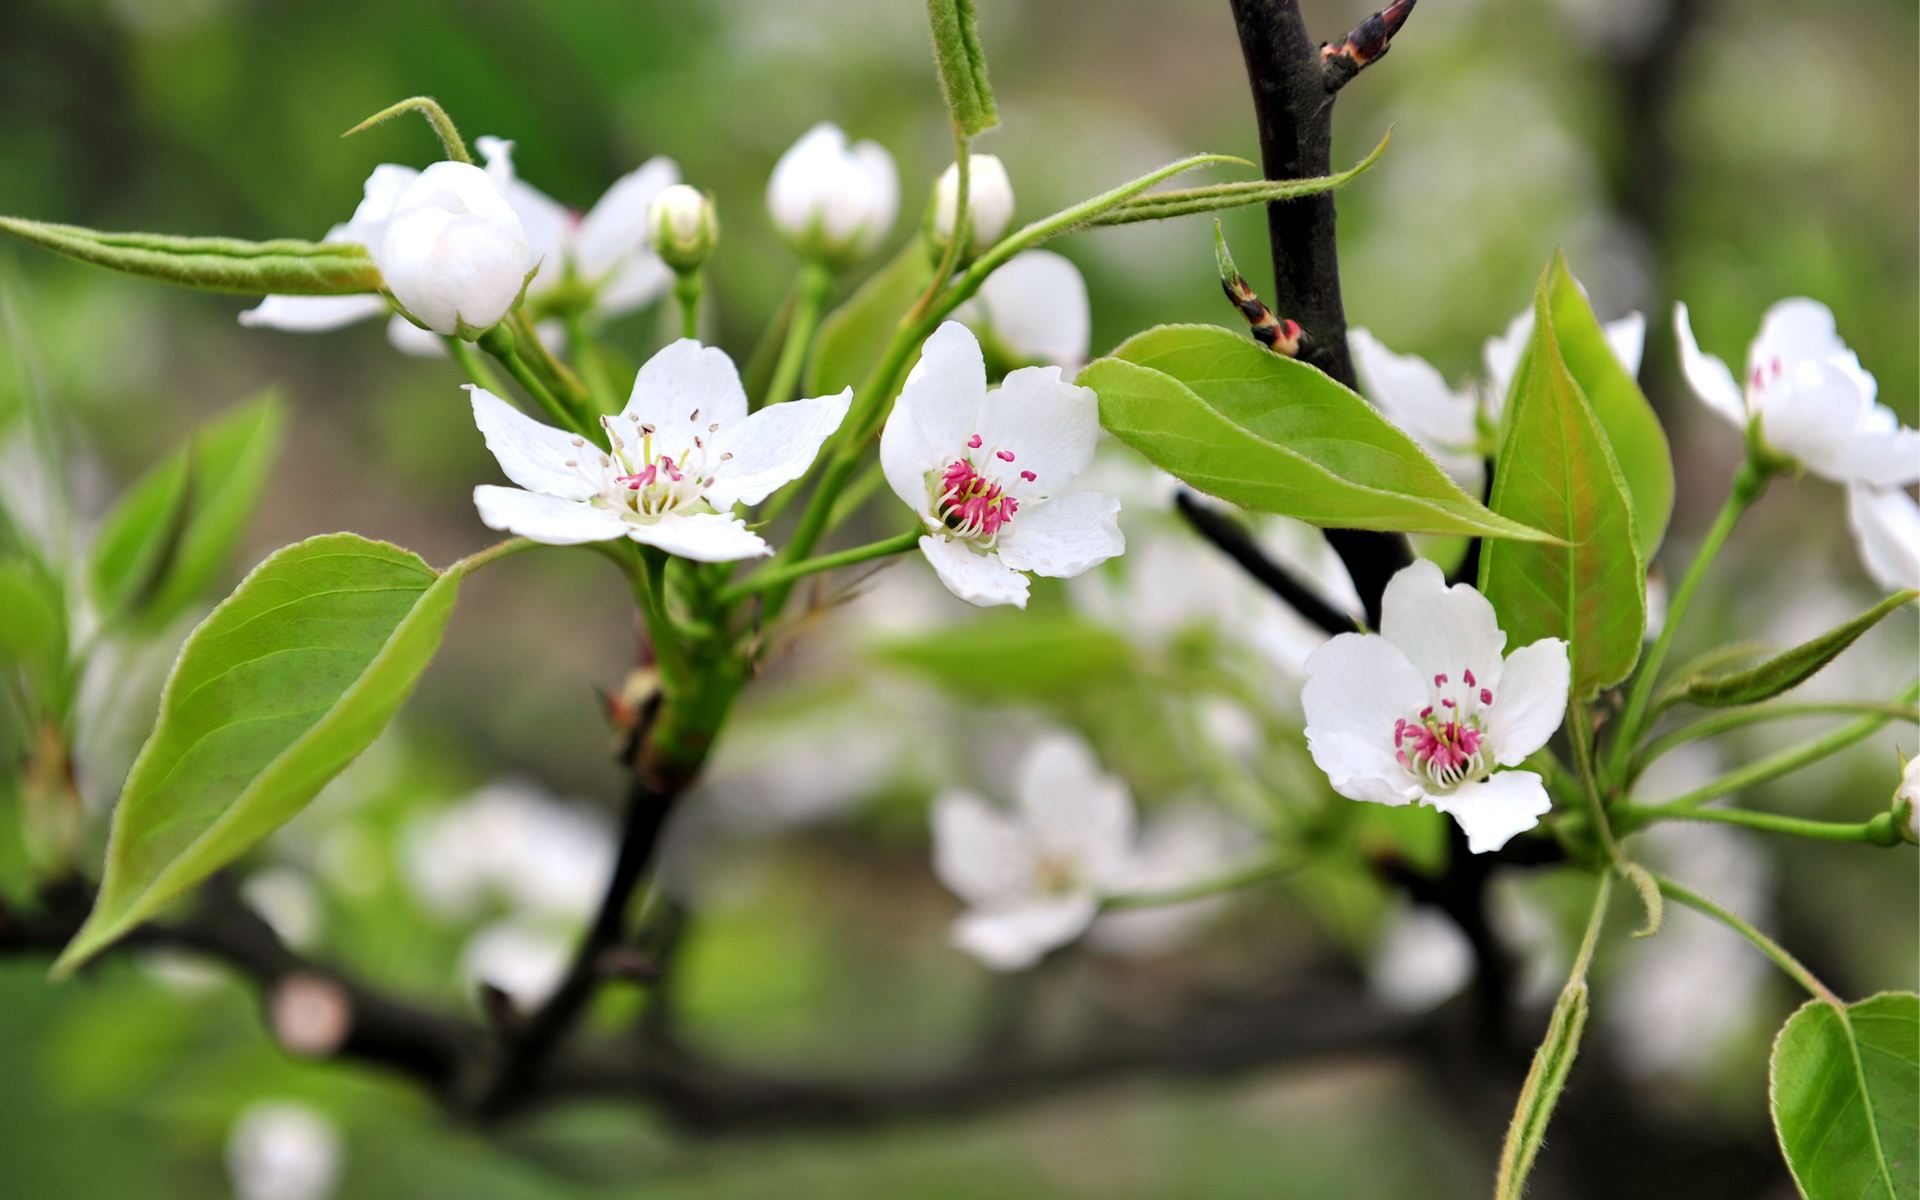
936,414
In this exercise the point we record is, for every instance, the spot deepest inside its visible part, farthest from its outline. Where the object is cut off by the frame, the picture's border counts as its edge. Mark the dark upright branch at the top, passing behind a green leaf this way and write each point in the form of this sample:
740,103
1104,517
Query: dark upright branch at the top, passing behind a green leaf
1295,112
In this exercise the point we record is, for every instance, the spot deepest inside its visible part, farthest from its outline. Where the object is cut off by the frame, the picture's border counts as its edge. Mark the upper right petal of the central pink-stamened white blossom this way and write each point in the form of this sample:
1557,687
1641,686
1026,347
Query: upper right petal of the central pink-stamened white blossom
1038,423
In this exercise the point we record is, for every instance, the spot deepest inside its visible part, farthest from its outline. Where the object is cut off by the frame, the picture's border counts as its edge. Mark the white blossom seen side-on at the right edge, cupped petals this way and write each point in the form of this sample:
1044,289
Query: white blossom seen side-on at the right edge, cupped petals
1808,398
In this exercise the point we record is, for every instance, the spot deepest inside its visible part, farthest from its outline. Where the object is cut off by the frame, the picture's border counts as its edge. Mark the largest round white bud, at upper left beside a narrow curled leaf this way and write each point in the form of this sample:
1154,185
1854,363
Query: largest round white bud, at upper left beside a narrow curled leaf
454,254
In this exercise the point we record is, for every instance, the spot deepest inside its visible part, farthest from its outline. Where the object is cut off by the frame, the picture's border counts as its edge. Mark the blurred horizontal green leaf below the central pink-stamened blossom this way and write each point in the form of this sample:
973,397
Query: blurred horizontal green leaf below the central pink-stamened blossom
1036,656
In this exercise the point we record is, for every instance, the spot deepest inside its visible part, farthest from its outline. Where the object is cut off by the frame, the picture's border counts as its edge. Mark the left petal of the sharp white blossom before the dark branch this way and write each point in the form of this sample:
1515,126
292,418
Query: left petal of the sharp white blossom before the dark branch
1358,688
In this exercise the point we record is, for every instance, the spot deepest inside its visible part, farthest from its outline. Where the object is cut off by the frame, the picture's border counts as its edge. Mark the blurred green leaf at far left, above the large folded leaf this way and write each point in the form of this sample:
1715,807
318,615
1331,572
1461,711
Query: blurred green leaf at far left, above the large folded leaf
178,527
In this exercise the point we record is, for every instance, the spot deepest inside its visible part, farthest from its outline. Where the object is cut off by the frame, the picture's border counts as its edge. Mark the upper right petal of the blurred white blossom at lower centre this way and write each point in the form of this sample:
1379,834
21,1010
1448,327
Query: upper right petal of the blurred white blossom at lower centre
1076,811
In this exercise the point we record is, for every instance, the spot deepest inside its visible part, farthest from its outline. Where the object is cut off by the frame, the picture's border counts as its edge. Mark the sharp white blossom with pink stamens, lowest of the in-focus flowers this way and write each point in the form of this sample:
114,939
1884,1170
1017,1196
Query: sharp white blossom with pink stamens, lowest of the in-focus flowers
1429,711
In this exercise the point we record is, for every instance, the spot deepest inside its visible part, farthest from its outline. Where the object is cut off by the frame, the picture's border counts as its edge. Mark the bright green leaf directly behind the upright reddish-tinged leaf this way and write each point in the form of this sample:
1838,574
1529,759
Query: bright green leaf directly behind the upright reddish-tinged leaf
1620,406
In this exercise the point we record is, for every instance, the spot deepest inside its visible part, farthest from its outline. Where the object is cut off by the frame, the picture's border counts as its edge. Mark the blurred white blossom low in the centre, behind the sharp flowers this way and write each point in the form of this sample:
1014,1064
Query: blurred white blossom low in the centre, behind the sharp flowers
1034,876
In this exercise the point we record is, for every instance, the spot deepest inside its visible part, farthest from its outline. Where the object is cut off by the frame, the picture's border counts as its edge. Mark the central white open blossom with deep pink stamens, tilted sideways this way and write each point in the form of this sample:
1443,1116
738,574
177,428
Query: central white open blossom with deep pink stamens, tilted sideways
990,471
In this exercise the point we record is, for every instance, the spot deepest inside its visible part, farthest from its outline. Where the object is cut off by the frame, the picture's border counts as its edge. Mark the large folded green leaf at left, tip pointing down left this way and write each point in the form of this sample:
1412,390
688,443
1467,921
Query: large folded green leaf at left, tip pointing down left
279,690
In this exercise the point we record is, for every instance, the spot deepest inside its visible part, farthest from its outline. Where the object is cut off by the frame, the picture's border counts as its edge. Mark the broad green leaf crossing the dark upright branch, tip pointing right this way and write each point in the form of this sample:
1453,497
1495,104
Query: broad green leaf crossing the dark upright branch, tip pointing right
1274,435
